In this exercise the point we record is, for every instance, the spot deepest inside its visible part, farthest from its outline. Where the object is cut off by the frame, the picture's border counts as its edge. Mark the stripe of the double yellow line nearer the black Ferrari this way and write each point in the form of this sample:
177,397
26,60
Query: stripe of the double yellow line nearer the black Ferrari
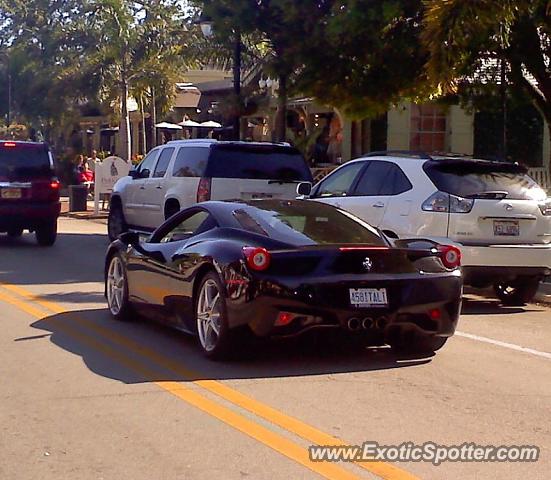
386,471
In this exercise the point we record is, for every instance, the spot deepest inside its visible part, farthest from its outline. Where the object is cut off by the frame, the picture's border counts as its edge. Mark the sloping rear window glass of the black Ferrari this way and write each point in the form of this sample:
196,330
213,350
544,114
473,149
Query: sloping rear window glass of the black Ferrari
306,223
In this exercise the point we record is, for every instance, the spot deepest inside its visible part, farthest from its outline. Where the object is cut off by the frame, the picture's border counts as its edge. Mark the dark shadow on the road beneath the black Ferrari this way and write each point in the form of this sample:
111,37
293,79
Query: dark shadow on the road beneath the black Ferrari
169,355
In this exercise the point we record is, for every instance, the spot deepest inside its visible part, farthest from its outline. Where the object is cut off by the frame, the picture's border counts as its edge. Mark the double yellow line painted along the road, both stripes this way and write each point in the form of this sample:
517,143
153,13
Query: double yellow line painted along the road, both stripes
28,302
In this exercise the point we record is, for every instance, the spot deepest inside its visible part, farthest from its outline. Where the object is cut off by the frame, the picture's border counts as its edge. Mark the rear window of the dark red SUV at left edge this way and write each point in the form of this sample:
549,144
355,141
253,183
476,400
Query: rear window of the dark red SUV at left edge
20,161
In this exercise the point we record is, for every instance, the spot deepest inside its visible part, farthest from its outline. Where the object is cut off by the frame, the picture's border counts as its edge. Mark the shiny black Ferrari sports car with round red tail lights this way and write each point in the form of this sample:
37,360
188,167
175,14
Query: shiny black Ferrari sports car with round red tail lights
280,268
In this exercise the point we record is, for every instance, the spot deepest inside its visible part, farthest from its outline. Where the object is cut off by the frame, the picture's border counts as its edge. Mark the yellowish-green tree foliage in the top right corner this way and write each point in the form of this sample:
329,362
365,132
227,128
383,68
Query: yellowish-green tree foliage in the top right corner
467,39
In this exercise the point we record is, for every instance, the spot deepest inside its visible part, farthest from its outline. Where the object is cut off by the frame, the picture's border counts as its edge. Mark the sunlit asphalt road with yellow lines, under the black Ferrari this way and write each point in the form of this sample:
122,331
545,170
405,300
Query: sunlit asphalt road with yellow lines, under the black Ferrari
84,397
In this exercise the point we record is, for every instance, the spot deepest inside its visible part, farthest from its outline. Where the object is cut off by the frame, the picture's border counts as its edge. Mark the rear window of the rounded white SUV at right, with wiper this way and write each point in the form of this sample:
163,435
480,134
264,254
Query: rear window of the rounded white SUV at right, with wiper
478,179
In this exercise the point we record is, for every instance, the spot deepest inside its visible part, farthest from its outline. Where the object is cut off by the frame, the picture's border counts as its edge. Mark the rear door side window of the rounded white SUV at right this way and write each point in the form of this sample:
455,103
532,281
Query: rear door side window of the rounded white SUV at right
382,178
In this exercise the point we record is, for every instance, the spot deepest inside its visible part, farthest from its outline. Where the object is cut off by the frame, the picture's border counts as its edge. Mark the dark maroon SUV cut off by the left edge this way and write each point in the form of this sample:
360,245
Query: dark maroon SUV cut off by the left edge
29,191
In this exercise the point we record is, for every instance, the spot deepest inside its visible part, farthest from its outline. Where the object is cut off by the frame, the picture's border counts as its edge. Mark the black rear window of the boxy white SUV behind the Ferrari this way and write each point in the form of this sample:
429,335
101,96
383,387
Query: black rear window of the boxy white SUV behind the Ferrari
258,162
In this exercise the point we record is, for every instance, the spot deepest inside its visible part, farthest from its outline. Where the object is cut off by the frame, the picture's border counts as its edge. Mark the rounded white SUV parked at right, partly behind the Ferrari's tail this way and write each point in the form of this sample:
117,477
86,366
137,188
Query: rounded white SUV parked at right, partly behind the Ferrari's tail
494,212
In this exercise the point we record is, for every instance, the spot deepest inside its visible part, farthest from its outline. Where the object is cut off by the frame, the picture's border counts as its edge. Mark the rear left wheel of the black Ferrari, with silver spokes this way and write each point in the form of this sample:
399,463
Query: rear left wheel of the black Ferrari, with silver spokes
213,331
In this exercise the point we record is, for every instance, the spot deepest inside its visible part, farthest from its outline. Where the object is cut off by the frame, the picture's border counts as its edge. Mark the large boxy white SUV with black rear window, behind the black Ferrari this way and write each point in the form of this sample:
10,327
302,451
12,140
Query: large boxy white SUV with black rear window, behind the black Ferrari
183,172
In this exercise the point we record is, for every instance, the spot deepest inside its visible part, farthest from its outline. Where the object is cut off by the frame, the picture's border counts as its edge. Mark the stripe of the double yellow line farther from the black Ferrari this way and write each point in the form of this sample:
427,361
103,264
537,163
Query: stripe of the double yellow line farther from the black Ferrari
254,430
